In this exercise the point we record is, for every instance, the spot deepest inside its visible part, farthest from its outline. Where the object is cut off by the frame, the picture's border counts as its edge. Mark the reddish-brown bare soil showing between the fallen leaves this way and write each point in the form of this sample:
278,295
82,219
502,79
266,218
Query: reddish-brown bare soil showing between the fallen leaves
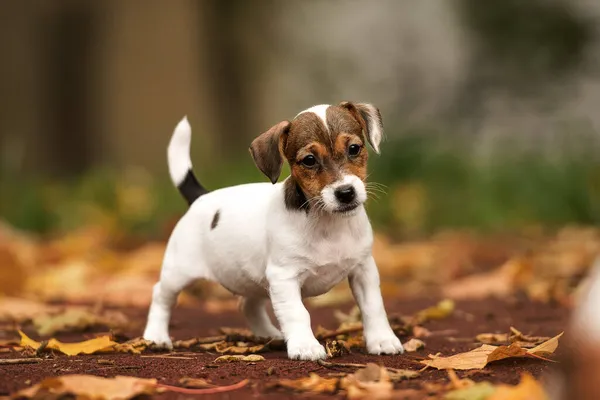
471,318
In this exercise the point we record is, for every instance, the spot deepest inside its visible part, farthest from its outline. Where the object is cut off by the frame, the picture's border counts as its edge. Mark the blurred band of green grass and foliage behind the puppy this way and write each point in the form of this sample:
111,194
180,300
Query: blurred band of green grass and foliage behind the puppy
432,180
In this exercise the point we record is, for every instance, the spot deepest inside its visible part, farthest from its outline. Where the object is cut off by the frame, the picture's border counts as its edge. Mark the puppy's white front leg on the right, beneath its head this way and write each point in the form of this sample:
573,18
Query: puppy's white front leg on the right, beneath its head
380,338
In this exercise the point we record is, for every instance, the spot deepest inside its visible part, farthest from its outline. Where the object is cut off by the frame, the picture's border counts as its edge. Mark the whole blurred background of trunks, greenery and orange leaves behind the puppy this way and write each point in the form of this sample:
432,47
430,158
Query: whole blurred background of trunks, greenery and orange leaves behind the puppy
490,163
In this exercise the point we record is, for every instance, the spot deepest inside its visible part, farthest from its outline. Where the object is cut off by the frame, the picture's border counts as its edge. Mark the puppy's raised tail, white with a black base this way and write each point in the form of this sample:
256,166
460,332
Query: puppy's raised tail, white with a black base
180,165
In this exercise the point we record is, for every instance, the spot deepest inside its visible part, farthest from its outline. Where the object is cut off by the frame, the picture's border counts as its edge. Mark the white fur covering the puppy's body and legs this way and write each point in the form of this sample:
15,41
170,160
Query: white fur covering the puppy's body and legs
260,250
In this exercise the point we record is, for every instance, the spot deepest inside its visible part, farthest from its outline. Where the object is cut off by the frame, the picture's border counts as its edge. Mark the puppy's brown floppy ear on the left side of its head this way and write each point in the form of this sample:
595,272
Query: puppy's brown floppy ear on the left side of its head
267,148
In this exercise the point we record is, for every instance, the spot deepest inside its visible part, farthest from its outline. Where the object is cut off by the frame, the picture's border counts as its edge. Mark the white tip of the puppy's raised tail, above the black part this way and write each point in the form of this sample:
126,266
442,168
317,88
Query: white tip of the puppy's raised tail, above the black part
178,152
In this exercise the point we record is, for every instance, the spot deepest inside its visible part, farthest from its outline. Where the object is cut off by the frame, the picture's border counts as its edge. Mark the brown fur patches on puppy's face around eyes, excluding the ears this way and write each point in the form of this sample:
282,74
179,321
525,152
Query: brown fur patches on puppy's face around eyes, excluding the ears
329,143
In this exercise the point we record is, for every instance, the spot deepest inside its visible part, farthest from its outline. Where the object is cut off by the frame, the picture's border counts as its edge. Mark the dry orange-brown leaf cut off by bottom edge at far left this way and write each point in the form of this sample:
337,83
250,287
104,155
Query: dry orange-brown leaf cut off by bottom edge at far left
90,387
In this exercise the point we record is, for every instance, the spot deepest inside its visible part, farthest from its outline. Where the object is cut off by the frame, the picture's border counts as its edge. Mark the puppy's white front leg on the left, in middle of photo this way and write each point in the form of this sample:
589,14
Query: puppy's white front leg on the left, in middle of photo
293,317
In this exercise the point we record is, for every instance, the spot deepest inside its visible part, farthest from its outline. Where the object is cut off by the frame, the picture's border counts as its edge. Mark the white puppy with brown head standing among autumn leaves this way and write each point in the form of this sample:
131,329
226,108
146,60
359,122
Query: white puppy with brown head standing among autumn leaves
282,241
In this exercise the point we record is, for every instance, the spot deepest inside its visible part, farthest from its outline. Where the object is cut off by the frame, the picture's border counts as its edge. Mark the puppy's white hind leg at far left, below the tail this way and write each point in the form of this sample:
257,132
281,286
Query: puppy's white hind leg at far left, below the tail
164,296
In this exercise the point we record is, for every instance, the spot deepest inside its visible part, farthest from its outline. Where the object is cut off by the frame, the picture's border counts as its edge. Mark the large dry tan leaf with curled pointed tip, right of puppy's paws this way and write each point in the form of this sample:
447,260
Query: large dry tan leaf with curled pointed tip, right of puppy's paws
481,356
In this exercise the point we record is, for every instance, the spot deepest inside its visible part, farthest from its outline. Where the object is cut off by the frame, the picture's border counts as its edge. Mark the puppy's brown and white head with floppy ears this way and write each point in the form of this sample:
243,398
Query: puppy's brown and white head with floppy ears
325,147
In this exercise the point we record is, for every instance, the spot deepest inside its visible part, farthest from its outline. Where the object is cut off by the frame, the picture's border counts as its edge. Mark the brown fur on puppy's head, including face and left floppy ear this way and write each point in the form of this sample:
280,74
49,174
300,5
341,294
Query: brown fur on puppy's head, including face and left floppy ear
307,135
